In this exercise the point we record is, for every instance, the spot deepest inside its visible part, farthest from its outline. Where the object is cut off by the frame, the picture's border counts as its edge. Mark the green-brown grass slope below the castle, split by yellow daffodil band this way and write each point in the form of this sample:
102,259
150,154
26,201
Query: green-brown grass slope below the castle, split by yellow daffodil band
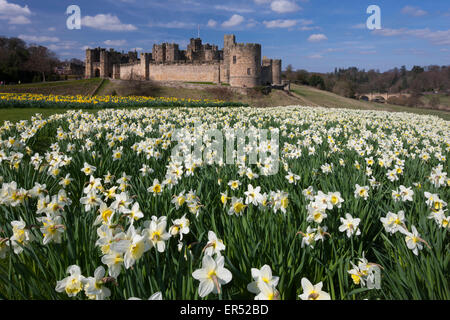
300,95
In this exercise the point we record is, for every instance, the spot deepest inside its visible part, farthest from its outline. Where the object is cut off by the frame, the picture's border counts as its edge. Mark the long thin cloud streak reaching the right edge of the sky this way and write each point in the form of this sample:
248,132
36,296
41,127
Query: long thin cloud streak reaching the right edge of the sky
440,37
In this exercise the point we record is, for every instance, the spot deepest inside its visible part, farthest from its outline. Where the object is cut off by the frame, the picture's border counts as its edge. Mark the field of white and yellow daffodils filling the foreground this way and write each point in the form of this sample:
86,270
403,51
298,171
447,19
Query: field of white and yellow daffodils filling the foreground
349,205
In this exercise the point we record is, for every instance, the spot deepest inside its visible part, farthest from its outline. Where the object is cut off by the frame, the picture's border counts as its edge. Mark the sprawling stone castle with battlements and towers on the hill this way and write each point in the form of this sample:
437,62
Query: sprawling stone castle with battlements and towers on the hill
238,64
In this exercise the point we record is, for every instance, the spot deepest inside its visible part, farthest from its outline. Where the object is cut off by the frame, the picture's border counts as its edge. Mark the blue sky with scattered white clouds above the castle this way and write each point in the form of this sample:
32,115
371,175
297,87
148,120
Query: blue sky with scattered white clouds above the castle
315,35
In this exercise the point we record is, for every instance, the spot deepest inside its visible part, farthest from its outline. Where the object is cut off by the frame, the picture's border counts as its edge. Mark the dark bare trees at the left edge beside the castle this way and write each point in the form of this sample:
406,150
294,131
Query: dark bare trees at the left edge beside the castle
22,63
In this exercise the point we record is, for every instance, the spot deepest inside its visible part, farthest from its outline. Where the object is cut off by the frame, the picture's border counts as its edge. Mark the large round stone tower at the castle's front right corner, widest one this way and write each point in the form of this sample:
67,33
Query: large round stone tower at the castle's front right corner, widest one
245,65
